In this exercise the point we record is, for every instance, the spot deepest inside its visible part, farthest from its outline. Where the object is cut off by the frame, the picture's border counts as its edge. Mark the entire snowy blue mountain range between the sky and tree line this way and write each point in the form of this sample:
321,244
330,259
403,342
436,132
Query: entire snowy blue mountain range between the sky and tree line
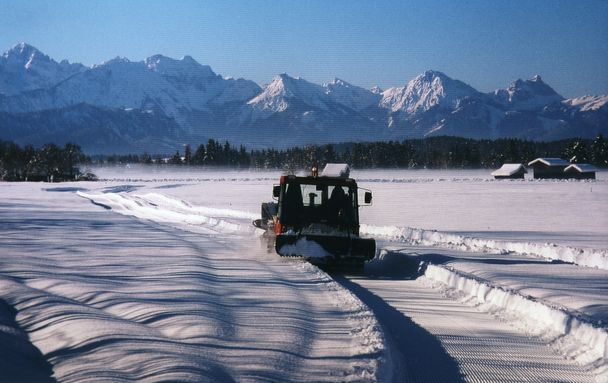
160,103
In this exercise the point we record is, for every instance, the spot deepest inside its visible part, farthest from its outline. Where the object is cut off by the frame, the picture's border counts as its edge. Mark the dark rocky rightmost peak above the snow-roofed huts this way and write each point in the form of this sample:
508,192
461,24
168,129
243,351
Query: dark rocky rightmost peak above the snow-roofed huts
527,94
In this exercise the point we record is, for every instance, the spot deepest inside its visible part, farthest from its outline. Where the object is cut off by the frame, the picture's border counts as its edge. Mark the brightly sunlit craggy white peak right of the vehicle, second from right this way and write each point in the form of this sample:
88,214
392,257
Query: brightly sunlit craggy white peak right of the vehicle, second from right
427,90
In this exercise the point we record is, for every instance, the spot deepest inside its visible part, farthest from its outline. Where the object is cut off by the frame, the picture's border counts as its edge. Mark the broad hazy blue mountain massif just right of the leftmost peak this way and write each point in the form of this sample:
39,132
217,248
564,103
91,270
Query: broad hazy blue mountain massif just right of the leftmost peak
175,87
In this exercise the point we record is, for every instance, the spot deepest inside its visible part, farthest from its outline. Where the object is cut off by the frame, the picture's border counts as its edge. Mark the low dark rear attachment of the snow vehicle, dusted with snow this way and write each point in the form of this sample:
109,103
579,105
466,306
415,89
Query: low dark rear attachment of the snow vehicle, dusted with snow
326,250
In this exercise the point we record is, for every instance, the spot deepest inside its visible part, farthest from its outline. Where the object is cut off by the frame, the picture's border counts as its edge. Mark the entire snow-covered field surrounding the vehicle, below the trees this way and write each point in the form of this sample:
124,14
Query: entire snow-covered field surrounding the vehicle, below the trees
157,274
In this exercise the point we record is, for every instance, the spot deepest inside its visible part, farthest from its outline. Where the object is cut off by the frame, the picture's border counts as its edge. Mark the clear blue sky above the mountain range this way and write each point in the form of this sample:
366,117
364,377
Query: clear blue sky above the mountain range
486,44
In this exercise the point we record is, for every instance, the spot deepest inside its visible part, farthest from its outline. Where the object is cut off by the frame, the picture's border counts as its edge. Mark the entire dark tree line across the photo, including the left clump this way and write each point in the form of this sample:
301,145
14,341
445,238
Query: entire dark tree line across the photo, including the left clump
55,163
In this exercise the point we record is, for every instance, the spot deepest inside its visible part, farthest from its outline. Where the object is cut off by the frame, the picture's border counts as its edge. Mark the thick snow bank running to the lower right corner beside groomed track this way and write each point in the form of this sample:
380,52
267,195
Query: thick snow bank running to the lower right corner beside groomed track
570,334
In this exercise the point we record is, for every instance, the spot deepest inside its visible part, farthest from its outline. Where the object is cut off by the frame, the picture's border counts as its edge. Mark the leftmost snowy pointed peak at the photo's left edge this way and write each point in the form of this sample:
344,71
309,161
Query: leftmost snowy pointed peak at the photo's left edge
24,68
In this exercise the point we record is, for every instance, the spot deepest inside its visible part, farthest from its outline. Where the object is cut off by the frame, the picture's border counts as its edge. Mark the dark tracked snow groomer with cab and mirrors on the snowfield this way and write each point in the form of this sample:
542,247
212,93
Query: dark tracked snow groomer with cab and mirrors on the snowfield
317,217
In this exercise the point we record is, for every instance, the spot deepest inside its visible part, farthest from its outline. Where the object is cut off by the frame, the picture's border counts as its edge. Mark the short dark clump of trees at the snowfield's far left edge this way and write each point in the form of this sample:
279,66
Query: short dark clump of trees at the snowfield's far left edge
49,163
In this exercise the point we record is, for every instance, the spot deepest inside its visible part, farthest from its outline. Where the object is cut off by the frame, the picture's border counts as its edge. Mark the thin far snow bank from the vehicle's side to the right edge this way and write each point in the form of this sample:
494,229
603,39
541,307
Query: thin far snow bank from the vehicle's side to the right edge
597,258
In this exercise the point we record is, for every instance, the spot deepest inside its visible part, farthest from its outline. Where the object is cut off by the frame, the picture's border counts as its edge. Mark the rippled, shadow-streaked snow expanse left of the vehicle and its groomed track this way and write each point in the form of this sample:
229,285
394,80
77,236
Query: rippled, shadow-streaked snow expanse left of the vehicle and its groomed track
159,292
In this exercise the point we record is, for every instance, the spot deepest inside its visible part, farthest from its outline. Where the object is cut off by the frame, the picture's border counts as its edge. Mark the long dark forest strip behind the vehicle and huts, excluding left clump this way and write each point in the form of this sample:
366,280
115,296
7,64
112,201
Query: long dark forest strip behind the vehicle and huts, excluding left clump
430,153
